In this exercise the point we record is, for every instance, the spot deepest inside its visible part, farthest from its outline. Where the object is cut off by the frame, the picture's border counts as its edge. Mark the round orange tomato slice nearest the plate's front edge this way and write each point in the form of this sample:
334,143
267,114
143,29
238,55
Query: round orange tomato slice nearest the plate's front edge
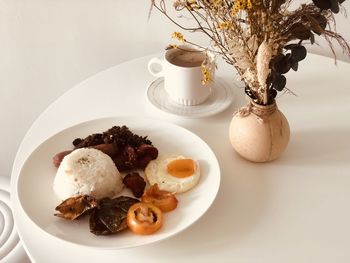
144,219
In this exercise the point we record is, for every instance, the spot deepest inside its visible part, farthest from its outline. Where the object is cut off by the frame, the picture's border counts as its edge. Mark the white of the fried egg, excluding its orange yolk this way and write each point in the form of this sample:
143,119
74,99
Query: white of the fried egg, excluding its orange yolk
156,173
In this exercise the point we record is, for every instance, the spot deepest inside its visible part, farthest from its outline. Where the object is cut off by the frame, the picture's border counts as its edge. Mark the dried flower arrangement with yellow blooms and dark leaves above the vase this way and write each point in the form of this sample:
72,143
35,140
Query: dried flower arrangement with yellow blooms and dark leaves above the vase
262,39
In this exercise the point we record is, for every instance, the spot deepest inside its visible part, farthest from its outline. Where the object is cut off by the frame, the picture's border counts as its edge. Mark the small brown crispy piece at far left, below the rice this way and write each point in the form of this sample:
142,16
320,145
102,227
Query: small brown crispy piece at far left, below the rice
74,207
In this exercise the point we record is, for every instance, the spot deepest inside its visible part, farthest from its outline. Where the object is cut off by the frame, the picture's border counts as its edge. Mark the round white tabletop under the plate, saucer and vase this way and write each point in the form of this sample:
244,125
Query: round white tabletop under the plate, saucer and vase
295,209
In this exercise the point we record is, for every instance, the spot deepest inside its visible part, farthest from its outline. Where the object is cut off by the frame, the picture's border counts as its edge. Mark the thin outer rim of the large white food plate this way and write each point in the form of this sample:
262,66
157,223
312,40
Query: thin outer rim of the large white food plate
117,118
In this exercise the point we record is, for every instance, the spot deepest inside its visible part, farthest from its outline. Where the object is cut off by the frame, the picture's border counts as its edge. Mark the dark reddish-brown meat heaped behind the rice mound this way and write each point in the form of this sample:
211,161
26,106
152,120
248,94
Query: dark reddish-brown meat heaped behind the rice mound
129,151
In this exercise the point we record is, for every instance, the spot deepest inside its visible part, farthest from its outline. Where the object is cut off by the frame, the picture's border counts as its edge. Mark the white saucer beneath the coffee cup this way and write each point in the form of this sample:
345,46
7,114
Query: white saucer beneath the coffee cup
220,98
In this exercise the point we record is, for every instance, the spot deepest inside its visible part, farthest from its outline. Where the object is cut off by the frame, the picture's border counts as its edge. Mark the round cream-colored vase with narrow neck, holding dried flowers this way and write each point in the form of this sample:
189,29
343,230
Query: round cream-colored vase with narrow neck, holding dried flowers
259,133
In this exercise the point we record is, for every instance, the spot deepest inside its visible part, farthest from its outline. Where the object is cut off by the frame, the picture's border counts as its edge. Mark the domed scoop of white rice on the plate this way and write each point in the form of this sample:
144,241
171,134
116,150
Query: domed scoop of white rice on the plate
87,171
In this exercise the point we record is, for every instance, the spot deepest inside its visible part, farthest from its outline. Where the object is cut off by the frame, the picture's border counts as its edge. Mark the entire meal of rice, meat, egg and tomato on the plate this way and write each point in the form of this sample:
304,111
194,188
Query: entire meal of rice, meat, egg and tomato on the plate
88,179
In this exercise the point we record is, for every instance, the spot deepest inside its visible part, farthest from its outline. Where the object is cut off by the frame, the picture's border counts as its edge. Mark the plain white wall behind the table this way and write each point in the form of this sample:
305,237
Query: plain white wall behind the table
48,46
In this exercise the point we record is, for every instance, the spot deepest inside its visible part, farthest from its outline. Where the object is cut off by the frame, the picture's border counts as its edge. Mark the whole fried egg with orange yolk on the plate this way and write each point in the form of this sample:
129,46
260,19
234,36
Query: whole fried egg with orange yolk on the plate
173,174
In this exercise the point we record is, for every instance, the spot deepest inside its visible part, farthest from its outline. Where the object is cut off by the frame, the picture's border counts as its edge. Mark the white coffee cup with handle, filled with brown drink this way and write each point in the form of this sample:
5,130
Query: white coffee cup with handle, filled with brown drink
183,76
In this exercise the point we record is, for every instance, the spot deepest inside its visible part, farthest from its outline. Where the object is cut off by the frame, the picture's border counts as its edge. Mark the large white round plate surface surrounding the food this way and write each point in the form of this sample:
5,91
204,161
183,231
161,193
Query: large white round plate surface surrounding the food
38,201
